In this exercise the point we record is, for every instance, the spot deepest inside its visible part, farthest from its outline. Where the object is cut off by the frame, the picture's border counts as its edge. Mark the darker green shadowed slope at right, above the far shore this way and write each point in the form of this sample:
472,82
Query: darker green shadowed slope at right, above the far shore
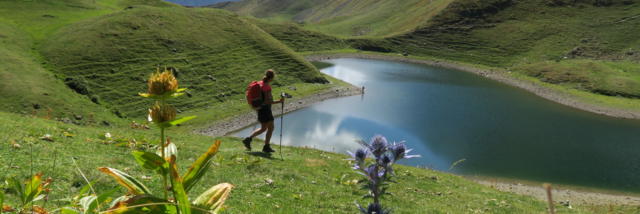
586,45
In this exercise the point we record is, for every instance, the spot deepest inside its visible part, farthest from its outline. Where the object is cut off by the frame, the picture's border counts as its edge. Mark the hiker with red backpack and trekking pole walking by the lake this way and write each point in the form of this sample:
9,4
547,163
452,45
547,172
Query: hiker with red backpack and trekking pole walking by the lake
265,116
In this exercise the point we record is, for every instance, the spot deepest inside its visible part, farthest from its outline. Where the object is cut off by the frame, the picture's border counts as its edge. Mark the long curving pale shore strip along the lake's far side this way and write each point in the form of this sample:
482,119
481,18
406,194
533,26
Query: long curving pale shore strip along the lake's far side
497,75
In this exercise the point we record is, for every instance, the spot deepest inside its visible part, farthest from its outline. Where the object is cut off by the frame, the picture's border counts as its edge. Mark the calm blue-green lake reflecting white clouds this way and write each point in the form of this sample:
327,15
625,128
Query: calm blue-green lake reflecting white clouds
447,115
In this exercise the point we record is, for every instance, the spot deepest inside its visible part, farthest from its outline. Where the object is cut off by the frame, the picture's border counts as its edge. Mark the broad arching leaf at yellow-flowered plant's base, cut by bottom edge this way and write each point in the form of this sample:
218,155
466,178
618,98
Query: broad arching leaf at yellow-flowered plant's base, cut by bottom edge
143,204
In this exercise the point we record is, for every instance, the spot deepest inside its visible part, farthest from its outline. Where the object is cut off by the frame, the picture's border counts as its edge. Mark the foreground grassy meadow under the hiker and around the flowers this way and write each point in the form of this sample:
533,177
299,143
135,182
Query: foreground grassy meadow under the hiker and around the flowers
300,183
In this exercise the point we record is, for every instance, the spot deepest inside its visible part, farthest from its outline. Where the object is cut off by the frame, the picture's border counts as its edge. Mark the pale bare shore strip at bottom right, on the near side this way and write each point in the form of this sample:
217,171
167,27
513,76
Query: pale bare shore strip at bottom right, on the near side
561,195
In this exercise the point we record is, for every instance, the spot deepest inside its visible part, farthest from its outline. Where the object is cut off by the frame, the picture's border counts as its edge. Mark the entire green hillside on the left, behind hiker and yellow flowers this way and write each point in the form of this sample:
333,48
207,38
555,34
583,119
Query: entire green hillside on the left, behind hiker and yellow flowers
84,57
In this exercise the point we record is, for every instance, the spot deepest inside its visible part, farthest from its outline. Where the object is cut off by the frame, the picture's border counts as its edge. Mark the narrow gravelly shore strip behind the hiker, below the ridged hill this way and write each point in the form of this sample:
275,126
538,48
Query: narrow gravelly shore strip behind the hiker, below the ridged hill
225,127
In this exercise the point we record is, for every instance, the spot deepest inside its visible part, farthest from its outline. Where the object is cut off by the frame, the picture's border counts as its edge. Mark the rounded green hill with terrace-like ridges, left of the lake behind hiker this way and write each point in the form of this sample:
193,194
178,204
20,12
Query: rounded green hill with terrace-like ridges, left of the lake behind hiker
215,53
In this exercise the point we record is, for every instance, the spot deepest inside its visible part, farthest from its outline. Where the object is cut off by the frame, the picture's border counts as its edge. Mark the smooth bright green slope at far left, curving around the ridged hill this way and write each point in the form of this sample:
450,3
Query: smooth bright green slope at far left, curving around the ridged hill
26,81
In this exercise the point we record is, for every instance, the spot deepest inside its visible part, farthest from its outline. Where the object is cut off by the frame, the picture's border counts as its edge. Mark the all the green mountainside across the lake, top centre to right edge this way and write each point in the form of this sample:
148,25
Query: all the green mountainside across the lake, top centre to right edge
589,45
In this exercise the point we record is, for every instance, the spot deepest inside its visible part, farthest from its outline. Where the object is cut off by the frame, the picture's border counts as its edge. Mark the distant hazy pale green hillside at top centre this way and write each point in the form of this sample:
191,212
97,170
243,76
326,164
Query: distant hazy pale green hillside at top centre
344,18
